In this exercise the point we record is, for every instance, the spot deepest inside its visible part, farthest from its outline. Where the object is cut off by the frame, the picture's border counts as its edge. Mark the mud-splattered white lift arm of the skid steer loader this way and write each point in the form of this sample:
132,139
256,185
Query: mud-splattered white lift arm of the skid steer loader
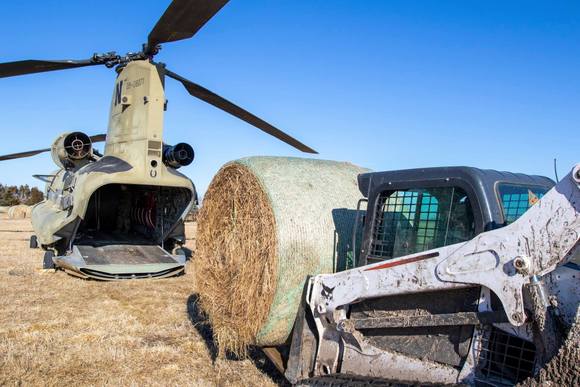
502,260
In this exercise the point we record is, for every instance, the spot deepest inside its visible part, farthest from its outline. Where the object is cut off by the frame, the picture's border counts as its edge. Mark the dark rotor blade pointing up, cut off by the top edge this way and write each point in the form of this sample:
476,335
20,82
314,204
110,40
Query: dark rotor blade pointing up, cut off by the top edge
182,19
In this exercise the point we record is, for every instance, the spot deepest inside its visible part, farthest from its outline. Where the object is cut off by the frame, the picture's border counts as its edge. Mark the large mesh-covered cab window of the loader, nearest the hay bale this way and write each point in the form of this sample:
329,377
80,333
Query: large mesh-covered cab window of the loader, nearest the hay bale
420,219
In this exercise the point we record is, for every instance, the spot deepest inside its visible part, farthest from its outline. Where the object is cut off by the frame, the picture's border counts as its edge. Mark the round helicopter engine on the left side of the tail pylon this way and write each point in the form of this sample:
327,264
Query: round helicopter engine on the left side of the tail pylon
72,150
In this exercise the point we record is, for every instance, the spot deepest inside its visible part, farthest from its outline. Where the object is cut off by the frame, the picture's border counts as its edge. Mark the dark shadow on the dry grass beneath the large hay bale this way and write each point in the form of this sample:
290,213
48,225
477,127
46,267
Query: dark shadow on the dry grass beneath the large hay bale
255,354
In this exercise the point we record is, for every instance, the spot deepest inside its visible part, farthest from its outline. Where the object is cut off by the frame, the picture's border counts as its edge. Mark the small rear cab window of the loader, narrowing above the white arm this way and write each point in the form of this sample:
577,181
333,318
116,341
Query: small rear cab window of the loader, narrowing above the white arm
516,199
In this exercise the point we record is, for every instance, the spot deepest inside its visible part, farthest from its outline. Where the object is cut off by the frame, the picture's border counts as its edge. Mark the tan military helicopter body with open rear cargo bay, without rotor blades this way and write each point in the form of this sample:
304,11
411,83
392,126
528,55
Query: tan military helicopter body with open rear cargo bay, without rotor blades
126,197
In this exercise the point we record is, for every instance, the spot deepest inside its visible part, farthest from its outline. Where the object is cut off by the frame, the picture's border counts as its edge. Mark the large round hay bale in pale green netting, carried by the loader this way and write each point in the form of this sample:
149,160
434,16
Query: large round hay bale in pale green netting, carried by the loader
265,224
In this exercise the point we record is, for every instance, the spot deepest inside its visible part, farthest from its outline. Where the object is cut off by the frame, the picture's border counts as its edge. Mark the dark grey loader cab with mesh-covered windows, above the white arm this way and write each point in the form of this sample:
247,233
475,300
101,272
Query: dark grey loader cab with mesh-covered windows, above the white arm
414,210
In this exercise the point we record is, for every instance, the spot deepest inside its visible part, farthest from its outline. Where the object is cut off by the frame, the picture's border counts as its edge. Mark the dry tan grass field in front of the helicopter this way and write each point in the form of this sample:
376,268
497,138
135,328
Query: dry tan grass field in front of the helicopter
59,330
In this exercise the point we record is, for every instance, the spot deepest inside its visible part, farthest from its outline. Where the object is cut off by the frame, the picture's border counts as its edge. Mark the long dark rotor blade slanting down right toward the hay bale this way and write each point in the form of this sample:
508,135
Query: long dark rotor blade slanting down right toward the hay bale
221,103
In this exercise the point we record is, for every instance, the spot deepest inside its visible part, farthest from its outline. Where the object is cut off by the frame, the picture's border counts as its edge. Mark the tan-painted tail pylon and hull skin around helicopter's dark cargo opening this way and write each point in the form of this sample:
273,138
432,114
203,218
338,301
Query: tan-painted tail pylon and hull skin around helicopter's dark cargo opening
134,139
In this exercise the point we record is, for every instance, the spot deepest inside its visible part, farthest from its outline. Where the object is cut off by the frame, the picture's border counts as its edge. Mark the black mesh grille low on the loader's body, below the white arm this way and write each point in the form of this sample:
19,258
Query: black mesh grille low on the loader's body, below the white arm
505,358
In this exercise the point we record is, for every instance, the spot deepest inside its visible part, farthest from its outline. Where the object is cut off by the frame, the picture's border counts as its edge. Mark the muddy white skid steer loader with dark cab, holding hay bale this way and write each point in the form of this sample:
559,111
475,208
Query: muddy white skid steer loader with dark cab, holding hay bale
463,276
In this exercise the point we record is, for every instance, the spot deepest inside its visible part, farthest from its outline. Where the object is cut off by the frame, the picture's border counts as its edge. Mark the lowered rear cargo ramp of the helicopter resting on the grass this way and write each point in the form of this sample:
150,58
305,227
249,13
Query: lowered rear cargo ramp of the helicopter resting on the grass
117,262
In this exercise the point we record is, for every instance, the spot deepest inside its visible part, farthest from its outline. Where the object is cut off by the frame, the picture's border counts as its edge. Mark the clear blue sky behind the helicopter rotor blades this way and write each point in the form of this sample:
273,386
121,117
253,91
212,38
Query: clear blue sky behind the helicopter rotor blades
383,84
